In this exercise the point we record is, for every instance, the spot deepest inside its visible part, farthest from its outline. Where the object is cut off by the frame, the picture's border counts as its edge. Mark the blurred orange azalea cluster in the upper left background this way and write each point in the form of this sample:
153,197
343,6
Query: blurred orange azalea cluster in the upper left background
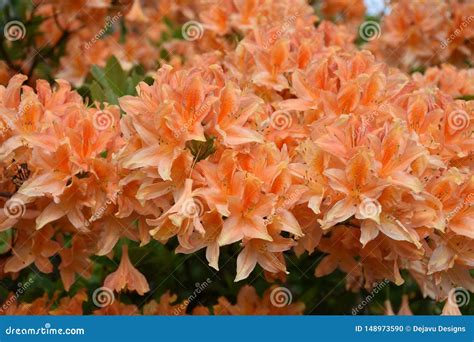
90,32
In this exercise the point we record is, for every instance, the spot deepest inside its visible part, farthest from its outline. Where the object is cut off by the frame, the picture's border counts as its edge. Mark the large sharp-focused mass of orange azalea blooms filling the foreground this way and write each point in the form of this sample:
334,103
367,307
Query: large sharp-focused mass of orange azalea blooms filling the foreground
287,140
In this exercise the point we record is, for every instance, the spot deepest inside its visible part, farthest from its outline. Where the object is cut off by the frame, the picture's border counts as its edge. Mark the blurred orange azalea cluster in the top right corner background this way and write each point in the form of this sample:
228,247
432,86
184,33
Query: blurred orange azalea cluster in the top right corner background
420,33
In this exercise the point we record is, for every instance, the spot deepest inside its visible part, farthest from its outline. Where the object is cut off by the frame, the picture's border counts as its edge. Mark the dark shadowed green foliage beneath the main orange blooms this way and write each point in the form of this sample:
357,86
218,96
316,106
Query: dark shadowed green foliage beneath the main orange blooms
178,273
